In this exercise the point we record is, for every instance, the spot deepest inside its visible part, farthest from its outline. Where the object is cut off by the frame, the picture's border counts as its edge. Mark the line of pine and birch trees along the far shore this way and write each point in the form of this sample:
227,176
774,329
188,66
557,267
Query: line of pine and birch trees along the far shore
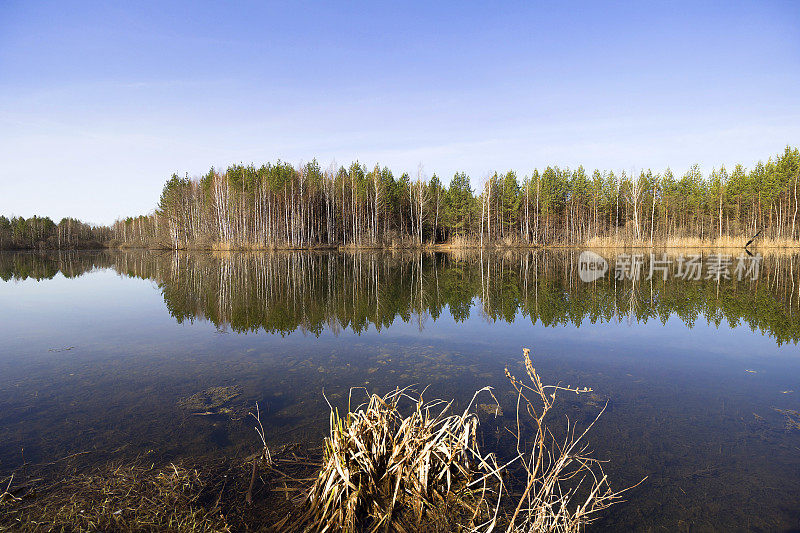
282,206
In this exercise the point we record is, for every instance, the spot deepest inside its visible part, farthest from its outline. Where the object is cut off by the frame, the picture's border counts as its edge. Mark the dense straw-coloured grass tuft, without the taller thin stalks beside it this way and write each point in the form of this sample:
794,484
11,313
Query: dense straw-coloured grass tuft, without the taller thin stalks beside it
386,471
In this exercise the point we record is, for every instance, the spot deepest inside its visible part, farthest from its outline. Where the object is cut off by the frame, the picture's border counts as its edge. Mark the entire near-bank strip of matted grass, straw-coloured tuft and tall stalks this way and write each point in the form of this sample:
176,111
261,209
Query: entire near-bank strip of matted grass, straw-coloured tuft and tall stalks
385,467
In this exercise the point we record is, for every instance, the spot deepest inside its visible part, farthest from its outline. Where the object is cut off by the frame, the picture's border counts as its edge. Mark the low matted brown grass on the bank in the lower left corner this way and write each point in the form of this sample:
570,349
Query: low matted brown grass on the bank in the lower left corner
126,498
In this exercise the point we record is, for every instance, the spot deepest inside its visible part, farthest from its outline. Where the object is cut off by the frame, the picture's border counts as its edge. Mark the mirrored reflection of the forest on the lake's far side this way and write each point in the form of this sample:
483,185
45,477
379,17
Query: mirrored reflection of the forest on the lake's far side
313,291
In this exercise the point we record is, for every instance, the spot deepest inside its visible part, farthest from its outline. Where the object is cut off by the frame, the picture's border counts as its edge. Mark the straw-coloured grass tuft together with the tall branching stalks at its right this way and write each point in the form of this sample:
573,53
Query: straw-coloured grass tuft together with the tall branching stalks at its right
386,471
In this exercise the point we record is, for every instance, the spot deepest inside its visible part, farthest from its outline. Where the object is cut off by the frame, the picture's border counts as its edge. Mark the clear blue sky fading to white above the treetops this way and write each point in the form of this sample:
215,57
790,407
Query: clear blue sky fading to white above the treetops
101,102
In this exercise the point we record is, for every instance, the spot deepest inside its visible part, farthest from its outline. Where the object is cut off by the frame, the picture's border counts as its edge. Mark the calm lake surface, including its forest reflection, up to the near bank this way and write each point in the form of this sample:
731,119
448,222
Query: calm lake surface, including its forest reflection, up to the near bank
99,348
